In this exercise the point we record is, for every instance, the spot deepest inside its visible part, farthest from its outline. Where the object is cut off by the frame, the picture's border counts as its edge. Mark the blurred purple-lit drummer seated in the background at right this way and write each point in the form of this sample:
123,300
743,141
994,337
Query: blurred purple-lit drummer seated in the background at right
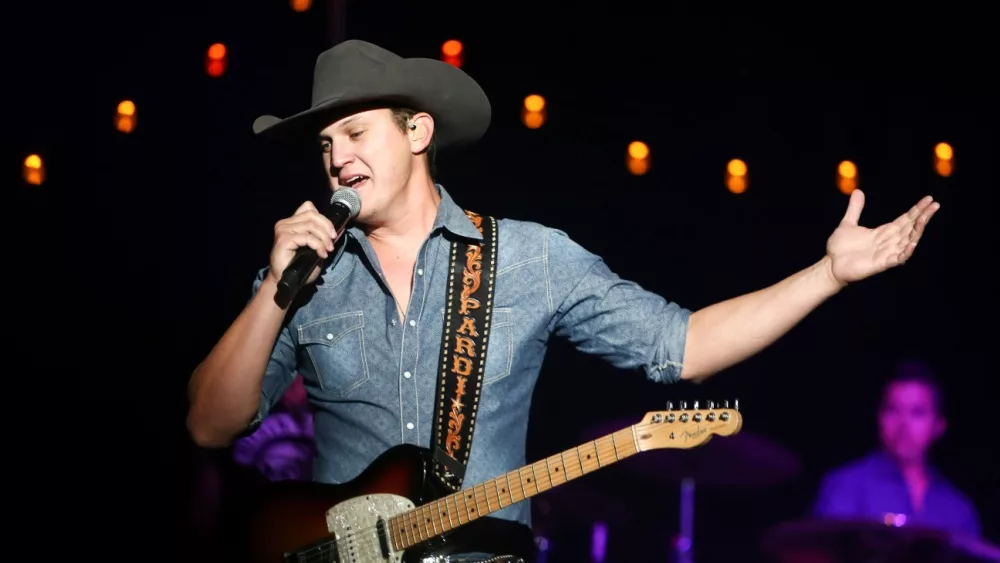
897,483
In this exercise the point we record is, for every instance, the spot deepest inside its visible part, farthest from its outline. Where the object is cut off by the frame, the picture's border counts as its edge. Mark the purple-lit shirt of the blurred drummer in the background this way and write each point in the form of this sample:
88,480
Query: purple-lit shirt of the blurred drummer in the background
873,488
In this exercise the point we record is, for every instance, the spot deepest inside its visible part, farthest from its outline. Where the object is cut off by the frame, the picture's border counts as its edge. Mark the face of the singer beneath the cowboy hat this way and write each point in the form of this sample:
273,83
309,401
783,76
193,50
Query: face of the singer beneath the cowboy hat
369,153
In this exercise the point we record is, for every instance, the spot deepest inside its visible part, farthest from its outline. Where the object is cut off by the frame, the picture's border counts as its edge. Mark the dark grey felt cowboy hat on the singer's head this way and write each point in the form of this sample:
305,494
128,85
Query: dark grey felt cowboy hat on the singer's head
356,75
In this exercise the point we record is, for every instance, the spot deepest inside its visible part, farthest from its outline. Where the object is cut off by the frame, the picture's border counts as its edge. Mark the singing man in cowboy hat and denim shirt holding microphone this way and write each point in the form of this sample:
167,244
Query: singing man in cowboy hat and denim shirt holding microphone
368,336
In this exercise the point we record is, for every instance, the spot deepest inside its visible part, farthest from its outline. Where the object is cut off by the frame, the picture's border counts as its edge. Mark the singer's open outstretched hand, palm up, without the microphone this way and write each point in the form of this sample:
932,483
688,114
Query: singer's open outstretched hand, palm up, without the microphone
858,252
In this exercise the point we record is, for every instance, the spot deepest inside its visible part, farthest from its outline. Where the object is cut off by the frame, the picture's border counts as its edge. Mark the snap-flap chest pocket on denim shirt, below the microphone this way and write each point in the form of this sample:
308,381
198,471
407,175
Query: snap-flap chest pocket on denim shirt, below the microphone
335,346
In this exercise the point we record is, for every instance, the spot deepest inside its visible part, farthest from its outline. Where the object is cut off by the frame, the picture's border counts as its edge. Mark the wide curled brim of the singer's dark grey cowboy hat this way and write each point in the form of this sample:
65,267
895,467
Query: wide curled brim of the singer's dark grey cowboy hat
459,106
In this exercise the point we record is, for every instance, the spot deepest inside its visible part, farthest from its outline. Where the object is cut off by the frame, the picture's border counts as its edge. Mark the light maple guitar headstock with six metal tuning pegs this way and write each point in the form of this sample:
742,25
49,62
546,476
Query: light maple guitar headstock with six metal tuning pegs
687,428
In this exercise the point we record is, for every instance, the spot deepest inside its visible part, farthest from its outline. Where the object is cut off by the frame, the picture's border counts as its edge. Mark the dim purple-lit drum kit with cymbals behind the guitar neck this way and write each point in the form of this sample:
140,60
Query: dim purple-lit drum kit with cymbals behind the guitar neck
750,461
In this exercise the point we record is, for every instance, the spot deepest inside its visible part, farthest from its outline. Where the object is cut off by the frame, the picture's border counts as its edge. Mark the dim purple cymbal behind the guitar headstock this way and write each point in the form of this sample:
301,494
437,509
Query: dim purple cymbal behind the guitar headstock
745,459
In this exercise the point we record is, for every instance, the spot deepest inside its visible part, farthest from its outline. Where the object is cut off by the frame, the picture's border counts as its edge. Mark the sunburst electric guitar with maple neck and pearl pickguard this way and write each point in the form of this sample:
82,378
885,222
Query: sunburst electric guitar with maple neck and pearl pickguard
392,512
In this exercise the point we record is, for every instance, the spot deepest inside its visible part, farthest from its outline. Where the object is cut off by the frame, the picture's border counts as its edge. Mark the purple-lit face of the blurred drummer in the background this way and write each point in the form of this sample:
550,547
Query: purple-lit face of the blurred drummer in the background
908,421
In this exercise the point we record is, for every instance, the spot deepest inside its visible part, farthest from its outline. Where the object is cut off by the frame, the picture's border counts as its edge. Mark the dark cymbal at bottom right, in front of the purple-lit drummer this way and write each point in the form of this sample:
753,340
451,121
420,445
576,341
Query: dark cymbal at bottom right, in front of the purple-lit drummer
858,541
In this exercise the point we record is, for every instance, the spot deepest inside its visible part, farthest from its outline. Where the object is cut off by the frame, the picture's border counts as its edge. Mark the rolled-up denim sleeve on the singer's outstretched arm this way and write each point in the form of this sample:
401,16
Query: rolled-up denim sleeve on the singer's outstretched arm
611,318
